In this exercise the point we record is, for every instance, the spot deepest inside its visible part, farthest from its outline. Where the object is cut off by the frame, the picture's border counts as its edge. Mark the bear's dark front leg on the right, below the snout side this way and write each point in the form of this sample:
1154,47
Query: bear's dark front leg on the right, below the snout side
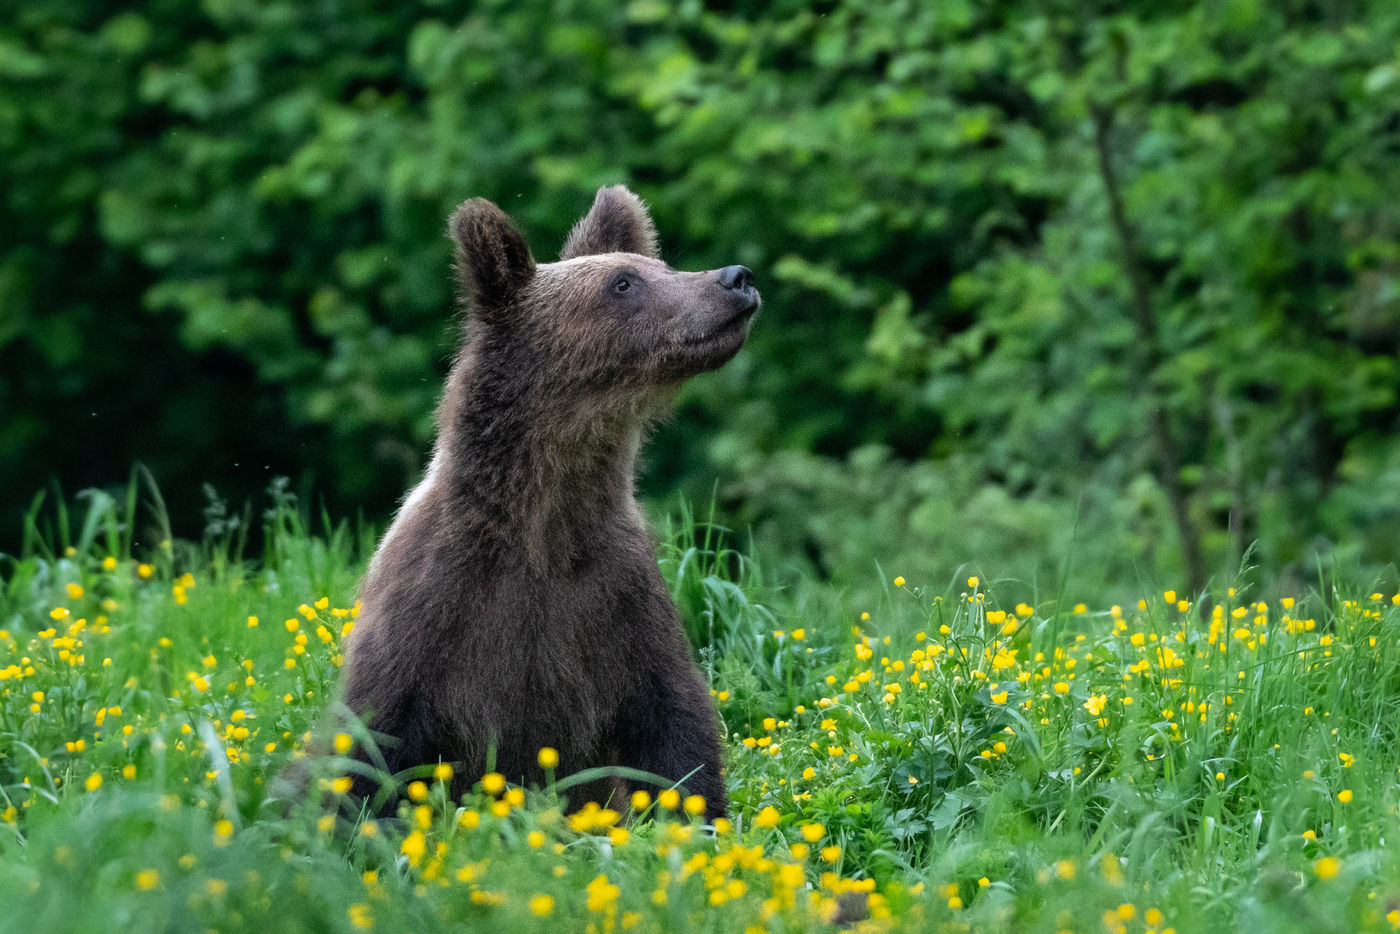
671,730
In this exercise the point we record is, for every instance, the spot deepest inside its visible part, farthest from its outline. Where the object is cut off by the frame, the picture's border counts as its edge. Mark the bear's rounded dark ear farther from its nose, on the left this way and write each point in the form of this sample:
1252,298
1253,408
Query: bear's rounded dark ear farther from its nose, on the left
492,258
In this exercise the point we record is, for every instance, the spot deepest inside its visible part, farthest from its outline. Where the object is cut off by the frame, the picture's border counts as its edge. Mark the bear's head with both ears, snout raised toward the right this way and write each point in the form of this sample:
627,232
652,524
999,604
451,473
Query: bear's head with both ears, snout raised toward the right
610,319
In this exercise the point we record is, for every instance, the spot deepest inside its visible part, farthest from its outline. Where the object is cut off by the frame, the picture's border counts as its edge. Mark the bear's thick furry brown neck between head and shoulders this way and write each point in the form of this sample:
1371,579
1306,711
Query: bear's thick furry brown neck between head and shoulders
542,475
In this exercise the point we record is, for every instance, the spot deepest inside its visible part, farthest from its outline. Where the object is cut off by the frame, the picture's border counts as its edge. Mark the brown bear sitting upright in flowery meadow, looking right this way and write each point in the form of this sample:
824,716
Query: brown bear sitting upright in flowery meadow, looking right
516,603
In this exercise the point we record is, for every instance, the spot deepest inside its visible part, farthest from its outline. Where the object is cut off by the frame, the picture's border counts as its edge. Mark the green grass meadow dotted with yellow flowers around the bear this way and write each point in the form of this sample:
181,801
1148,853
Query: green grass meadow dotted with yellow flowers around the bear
969,761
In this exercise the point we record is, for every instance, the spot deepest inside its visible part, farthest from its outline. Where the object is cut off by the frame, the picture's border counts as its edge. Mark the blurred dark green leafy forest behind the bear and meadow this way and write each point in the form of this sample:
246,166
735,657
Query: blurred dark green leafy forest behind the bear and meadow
1086,299
